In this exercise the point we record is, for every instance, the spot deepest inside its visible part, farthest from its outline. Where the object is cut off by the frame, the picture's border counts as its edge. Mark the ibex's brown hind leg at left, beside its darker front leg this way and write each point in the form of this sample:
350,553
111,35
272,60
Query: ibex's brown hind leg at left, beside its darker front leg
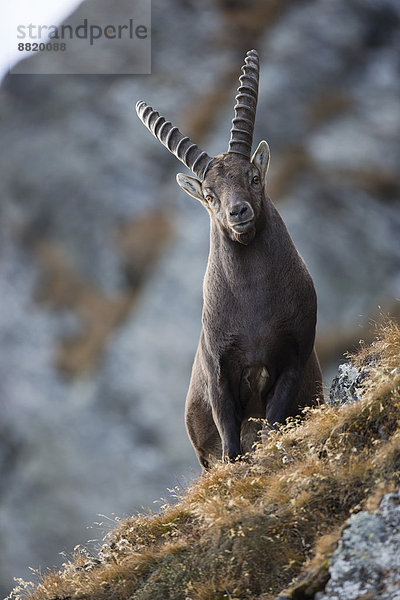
201,429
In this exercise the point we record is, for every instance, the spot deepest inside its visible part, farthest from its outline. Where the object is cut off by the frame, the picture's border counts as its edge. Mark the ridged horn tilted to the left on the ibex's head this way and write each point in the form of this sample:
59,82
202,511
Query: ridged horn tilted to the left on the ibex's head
190,154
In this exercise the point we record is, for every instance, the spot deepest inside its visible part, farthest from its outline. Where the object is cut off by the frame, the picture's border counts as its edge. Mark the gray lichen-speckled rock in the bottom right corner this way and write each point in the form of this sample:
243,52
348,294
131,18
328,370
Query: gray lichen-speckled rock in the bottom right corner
366,562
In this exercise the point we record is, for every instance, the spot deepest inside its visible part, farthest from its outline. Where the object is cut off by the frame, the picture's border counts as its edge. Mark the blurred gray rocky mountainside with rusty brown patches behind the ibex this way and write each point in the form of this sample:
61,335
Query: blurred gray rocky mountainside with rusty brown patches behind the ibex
102,256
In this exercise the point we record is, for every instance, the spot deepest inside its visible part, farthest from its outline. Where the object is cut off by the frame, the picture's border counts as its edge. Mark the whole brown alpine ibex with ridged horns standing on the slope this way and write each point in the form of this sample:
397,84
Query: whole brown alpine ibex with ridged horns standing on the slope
256,356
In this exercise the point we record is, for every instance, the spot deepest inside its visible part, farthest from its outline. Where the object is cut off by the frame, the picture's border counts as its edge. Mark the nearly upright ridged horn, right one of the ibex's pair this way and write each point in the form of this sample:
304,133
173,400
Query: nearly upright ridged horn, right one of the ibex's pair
245,107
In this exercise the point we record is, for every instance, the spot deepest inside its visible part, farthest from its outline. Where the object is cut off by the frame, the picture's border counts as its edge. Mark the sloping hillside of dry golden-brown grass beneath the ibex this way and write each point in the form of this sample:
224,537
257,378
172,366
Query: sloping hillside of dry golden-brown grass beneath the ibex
255,527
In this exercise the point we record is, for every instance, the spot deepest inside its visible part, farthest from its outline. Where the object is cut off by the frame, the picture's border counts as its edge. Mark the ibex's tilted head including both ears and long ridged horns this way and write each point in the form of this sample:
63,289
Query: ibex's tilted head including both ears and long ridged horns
230,185
